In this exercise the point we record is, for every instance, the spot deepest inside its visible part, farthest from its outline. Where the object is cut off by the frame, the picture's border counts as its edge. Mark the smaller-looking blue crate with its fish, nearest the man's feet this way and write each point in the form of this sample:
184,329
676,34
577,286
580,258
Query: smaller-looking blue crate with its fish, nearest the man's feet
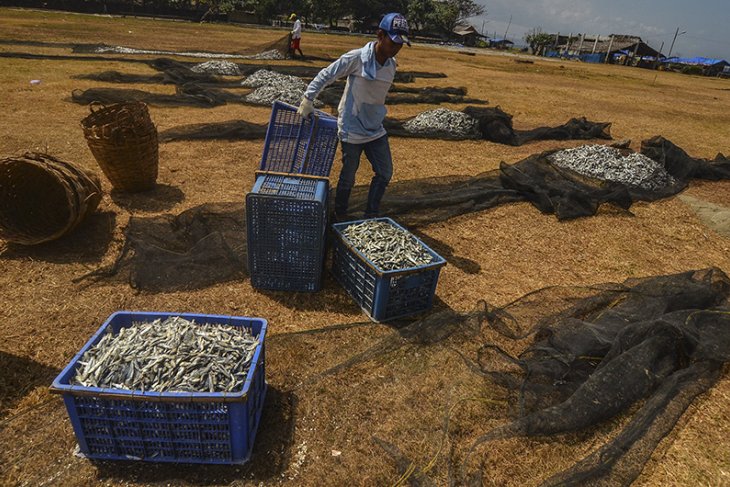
387,270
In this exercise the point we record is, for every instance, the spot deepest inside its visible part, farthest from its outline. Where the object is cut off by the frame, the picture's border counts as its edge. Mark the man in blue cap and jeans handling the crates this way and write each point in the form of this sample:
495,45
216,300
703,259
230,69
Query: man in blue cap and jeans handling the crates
370,71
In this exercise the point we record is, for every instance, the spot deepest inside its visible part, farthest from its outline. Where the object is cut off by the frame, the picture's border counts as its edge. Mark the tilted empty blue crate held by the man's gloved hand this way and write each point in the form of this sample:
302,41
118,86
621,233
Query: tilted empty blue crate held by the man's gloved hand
299,145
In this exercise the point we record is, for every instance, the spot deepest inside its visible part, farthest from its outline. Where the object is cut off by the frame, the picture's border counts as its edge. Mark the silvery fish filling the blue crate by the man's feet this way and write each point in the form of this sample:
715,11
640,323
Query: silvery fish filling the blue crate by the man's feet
386,246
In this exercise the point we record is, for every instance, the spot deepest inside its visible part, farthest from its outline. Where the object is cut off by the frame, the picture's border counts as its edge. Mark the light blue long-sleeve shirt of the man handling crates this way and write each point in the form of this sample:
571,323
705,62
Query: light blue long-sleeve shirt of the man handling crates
362,106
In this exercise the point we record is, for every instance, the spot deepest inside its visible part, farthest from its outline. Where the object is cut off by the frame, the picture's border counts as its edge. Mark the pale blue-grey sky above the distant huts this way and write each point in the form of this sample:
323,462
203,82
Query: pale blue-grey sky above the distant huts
704,25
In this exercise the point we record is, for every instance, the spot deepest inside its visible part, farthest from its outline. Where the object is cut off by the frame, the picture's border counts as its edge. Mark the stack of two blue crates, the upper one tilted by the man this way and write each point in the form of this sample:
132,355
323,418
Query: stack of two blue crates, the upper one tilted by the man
286,211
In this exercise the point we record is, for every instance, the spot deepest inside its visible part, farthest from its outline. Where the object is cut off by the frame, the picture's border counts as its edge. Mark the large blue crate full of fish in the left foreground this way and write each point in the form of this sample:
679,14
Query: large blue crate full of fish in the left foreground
168,387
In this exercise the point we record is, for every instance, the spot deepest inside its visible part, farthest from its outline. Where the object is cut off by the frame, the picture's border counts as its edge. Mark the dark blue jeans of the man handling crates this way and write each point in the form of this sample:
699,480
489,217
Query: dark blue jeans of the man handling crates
378,153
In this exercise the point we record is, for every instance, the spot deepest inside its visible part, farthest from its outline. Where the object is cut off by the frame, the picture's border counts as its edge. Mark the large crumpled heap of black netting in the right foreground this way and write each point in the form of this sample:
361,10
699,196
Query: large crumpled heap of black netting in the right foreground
663,339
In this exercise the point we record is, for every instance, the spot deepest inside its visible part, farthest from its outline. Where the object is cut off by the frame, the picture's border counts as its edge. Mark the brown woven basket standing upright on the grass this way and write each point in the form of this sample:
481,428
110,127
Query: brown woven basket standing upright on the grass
123,139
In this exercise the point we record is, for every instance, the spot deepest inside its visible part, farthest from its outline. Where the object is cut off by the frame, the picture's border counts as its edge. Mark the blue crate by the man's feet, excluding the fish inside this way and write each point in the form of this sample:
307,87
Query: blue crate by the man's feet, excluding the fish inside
384,295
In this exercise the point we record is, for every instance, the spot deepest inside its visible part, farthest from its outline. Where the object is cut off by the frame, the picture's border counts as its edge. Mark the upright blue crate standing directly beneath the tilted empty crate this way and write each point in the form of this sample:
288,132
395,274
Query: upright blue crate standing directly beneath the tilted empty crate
286,221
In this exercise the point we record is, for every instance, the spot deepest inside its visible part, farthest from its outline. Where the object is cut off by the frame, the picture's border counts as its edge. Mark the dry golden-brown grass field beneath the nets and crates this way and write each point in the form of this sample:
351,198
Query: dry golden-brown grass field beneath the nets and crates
401,395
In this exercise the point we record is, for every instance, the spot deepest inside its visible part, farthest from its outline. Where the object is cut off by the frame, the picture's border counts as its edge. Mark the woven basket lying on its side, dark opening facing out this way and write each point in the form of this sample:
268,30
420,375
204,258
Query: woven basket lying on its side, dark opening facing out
43,198
